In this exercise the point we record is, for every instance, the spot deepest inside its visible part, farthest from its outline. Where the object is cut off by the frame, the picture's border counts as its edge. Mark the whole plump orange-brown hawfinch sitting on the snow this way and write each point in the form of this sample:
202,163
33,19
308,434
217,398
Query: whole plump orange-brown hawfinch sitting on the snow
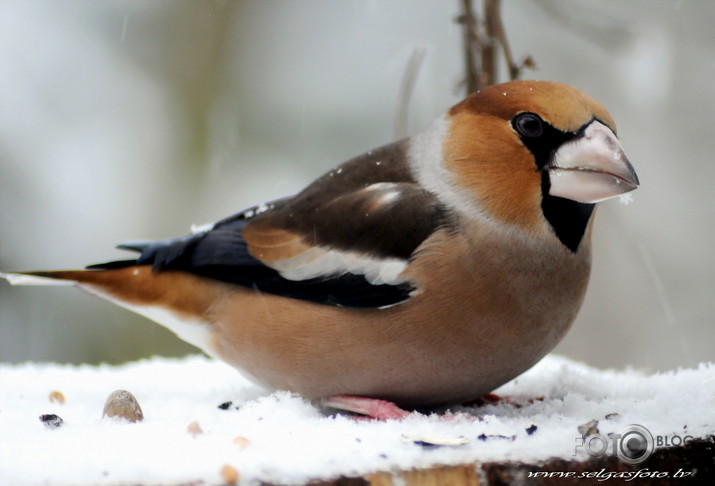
426,272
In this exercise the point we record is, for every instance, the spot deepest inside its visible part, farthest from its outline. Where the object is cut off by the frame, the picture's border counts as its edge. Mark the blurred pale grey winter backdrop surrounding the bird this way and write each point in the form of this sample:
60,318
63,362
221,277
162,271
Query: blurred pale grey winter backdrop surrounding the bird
124,120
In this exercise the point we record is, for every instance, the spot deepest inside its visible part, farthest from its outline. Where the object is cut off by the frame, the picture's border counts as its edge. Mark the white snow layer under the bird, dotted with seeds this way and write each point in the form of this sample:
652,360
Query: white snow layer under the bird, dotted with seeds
282,438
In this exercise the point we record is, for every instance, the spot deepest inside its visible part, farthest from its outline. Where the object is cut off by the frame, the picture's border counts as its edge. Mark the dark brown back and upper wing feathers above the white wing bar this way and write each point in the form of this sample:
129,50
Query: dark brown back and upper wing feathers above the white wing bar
370,205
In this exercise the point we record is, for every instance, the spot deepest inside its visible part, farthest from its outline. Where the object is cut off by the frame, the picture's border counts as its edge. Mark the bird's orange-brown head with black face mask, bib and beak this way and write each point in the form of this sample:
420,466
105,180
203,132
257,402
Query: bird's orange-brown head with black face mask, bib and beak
535,154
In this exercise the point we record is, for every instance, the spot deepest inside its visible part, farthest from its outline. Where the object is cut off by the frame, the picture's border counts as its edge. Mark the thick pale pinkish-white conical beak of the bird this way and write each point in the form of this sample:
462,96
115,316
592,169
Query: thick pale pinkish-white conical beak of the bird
592,167
